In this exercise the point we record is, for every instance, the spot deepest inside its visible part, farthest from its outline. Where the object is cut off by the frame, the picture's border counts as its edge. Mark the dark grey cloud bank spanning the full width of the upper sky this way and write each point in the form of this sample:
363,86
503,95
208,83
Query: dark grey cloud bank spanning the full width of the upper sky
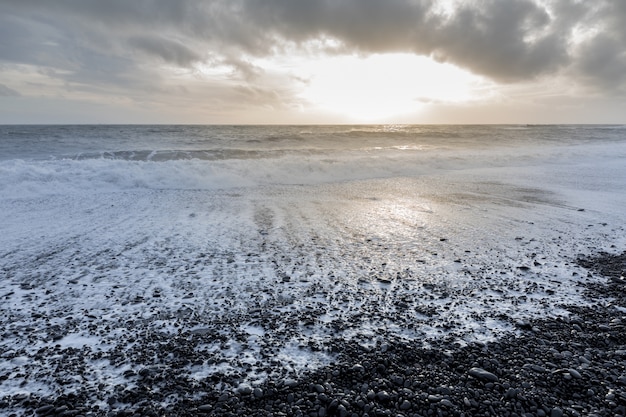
507,41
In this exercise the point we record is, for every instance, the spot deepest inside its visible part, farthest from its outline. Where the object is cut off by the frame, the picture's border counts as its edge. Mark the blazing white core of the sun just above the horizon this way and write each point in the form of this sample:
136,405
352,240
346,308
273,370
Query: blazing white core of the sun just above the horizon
382,87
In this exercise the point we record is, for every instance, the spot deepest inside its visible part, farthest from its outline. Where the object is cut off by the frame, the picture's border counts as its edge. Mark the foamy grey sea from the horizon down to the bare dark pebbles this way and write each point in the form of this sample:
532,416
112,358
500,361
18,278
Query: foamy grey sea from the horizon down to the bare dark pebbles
270,243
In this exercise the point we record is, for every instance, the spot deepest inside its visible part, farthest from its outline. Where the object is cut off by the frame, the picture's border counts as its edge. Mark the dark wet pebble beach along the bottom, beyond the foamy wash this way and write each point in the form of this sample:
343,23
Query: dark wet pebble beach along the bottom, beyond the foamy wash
552,367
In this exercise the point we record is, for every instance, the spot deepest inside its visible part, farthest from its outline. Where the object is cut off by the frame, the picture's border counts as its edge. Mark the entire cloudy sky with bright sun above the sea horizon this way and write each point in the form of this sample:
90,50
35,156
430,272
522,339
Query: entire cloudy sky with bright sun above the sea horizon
312,61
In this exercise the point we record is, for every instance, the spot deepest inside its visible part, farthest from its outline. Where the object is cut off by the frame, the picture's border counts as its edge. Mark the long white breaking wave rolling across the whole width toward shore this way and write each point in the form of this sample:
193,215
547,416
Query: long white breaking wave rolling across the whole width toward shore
204,170
